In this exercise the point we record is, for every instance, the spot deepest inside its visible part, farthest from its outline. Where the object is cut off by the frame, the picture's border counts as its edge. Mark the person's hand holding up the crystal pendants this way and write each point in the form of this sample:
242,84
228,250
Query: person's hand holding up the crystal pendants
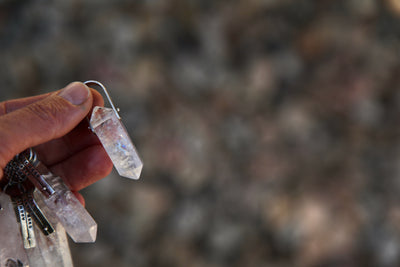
54,125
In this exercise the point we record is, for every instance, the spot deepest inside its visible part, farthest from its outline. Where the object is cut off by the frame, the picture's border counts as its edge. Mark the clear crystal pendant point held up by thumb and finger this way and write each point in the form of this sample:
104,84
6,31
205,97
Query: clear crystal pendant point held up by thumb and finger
115,139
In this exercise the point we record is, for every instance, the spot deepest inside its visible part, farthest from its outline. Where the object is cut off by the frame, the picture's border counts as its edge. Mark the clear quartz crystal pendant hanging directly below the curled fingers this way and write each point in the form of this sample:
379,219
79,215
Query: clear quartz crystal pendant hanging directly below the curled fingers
63,205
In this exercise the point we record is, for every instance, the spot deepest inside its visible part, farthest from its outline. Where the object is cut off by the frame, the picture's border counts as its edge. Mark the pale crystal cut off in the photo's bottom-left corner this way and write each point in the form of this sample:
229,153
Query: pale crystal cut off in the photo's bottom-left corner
11,246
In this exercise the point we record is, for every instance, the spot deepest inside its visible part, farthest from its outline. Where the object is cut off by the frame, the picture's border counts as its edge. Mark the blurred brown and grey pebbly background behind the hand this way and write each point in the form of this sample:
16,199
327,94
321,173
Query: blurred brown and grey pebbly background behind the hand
269,129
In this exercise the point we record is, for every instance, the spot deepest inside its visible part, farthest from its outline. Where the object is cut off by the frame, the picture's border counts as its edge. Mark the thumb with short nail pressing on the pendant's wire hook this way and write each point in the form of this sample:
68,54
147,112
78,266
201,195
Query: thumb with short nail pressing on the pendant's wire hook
42,121
